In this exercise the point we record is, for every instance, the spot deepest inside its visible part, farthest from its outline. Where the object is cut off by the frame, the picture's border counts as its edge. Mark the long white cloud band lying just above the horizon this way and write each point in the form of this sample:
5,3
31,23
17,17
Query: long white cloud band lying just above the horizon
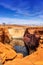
20,21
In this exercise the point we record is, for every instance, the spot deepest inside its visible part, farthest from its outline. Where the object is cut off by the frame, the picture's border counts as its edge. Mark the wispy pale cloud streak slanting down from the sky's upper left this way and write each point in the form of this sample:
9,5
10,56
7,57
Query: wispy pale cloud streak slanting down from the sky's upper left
18,10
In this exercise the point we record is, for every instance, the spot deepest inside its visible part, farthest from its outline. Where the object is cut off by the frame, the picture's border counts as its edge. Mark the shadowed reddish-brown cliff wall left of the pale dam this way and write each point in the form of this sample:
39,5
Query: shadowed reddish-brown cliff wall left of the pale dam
4,35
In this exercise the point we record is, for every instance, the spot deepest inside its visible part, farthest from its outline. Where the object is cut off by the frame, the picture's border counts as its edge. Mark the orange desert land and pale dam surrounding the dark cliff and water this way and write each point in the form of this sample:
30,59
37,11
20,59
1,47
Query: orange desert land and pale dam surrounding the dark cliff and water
13,35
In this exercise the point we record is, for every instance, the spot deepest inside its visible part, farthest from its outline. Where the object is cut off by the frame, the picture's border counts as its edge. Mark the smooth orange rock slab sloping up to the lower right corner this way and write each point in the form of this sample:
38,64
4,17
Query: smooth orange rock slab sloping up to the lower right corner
34,59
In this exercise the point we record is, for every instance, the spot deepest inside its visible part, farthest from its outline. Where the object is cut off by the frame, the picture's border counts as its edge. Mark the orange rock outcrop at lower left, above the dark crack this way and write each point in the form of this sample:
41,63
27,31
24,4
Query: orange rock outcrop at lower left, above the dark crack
6,52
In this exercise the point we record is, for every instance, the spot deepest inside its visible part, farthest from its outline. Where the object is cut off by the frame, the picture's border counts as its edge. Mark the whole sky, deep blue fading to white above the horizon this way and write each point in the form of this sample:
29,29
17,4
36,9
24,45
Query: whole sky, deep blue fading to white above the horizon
21,12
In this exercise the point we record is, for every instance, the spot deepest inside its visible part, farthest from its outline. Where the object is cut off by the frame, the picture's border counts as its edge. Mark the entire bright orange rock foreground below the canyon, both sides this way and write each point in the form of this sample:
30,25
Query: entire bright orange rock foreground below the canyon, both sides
9,57
